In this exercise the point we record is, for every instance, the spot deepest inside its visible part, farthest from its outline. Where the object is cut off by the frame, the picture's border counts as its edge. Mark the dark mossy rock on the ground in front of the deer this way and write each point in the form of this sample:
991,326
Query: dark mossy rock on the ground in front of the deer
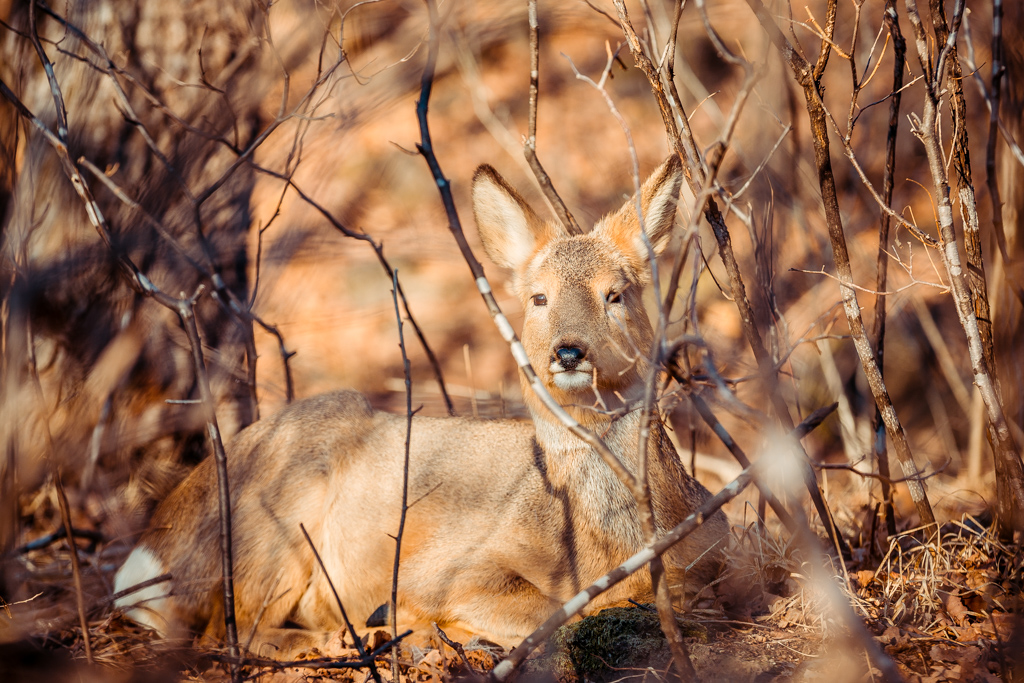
593,649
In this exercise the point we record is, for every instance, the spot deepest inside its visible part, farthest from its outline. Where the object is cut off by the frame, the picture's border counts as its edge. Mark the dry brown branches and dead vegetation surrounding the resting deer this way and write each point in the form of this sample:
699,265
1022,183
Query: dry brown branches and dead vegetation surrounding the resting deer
237,148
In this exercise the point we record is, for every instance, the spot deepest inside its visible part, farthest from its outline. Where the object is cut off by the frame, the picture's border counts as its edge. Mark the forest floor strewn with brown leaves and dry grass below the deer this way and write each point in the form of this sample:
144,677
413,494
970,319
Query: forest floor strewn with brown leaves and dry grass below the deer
950,615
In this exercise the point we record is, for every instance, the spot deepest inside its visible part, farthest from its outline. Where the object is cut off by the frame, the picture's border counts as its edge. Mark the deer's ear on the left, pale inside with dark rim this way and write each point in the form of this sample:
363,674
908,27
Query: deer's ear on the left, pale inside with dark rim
511,233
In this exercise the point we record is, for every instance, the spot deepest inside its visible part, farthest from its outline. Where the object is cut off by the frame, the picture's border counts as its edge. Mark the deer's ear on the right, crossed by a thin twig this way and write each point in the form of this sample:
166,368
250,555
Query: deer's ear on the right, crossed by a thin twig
659,197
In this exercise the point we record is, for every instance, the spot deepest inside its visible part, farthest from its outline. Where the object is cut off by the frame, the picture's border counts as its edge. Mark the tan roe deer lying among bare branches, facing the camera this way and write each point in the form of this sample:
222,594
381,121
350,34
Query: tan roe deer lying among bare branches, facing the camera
516,518
